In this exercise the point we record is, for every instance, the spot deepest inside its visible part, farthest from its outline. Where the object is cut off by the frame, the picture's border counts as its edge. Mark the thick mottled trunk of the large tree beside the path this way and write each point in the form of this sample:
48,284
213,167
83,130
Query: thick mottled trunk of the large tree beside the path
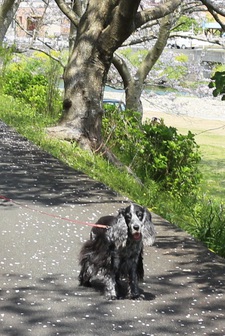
101,30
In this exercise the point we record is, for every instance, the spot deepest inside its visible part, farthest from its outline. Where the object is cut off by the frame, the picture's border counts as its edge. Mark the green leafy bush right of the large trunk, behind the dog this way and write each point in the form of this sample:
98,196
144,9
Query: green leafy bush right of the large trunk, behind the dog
154,151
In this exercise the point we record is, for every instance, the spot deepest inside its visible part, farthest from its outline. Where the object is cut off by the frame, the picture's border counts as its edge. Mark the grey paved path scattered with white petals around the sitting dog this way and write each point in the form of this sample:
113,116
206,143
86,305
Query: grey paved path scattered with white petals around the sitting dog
184,283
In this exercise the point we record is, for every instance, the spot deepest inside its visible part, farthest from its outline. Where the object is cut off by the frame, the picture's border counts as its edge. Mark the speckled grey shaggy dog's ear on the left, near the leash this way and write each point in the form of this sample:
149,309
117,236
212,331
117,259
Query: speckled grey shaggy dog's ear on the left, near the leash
118,232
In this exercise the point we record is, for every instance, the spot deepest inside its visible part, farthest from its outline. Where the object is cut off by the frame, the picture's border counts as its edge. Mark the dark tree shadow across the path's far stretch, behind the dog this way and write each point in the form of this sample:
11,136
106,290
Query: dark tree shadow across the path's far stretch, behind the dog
28,173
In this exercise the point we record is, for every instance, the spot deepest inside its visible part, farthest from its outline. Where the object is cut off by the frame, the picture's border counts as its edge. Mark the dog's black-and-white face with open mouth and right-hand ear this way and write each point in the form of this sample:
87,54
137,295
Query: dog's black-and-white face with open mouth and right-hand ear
139,223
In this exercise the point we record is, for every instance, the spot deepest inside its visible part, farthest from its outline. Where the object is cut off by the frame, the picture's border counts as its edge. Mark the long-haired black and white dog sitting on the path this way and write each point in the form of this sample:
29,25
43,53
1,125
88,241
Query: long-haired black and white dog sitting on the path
117,251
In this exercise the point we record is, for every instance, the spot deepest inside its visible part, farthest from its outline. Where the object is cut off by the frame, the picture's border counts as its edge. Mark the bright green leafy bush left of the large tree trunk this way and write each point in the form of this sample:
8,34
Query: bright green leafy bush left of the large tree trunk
34,81
